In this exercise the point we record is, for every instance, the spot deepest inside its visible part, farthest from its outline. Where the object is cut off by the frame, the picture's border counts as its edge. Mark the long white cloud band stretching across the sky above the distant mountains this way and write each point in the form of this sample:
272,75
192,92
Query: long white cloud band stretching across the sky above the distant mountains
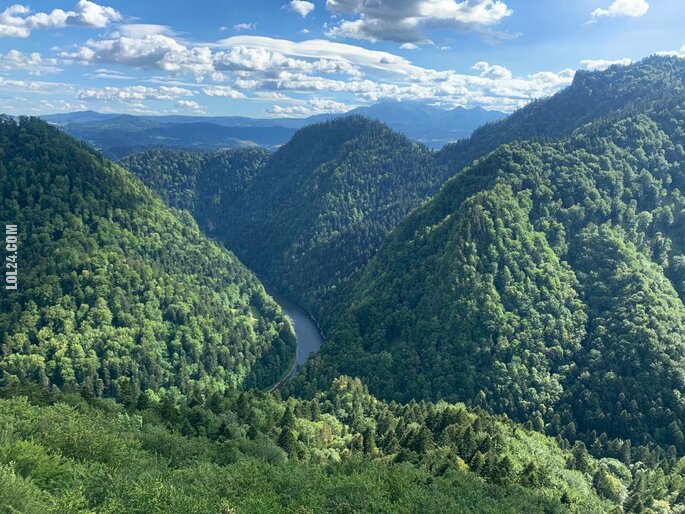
267,66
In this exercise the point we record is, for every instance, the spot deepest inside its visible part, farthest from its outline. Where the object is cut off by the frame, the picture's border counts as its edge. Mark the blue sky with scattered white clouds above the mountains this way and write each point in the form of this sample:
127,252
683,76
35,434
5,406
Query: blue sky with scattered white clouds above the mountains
296,58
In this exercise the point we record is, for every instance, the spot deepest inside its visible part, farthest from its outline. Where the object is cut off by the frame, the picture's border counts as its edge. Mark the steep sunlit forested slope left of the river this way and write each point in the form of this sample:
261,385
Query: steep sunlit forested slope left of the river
117,295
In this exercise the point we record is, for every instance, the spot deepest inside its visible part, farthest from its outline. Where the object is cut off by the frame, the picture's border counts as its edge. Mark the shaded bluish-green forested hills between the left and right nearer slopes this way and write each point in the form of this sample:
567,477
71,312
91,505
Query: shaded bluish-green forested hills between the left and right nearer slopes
309,217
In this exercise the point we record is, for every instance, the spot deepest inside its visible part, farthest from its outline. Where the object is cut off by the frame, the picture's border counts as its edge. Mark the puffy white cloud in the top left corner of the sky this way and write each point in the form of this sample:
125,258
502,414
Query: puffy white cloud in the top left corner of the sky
17,20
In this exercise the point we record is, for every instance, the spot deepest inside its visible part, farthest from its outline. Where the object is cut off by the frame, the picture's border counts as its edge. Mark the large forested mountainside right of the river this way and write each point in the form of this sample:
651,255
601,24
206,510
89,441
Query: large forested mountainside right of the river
546,281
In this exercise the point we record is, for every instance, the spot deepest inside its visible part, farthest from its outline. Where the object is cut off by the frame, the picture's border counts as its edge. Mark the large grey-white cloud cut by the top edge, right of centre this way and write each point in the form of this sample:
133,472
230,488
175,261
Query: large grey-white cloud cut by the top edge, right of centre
409,21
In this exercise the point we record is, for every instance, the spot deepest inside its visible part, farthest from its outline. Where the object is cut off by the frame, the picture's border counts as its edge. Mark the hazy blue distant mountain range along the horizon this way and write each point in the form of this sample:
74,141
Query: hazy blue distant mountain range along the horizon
121,134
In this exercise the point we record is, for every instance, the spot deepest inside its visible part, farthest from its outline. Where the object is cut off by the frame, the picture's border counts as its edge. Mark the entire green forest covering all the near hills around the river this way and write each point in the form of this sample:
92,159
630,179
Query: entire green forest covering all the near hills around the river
504,319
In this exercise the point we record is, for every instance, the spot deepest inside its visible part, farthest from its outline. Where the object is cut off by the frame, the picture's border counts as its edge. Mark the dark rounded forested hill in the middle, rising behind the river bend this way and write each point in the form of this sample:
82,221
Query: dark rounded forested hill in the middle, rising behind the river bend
311,219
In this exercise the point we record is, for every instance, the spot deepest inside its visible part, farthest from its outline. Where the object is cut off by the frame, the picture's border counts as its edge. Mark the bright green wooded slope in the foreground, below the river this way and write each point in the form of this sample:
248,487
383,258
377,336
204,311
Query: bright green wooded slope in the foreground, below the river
344,451
